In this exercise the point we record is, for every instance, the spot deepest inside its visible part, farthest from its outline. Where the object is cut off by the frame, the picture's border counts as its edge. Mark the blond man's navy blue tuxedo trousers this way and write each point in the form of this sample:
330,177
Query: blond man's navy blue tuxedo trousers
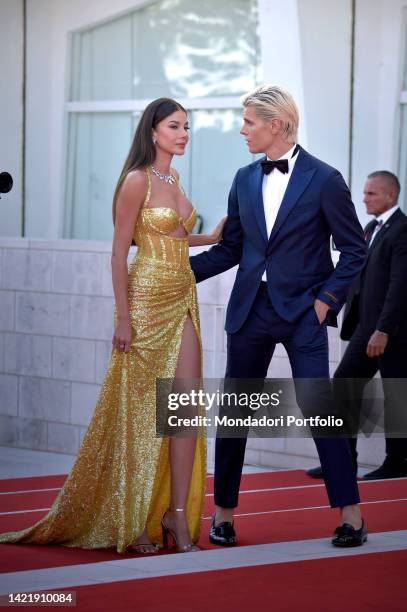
249,354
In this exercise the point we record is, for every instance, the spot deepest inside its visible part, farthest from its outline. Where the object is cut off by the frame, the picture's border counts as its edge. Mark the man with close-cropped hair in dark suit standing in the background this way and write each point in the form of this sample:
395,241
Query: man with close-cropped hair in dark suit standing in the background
375,319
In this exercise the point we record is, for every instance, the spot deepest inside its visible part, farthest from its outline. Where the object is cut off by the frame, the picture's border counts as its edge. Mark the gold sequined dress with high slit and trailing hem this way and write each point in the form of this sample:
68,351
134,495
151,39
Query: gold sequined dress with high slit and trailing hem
120,482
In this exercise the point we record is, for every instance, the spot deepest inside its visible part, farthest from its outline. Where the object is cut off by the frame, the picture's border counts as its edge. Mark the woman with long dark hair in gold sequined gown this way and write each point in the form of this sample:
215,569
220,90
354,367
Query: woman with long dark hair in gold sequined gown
128,486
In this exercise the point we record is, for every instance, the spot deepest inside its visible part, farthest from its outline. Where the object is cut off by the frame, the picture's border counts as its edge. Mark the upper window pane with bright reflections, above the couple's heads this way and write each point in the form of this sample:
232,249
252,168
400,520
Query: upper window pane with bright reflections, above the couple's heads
173,47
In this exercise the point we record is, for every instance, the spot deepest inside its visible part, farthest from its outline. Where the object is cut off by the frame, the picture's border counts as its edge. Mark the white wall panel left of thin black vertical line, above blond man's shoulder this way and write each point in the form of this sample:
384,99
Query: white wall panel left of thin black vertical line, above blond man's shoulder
325,38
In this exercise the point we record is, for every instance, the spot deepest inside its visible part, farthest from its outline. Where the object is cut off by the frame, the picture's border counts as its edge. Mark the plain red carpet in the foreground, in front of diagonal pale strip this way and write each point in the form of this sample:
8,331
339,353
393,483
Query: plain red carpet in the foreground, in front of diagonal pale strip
374,582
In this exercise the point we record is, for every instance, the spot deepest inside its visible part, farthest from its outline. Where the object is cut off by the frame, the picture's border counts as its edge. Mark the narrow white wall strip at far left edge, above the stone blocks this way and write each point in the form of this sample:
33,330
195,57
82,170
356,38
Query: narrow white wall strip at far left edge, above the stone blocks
11,54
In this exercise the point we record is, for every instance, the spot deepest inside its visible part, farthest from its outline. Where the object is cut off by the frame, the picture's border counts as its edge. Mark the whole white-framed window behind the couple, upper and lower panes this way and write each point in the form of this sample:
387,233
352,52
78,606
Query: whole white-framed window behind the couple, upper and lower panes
205,55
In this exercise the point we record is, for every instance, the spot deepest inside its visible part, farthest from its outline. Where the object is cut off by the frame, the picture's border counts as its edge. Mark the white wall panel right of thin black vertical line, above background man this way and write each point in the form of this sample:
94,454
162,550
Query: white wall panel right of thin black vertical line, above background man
379,61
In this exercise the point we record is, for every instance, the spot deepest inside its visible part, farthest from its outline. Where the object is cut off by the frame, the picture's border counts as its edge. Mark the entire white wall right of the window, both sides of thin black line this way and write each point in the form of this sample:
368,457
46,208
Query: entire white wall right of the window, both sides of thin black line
306,47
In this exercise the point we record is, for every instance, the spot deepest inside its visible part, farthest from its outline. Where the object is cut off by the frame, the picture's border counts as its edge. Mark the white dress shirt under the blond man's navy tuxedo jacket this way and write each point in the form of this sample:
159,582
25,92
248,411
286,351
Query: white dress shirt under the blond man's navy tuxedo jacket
274,186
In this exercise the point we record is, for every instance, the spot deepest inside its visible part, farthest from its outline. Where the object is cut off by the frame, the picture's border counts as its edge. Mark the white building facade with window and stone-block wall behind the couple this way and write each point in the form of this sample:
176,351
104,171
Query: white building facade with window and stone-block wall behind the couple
344,61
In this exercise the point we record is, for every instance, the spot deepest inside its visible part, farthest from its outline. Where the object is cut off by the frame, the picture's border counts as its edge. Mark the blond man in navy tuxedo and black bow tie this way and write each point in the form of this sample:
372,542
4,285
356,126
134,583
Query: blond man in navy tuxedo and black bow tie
282,212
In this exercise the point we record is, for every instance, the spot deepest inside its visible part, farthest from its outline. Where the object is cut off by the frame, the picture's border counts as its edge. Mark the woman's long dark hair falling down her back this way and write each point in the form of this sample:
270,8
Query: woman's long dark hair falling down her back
142,151
